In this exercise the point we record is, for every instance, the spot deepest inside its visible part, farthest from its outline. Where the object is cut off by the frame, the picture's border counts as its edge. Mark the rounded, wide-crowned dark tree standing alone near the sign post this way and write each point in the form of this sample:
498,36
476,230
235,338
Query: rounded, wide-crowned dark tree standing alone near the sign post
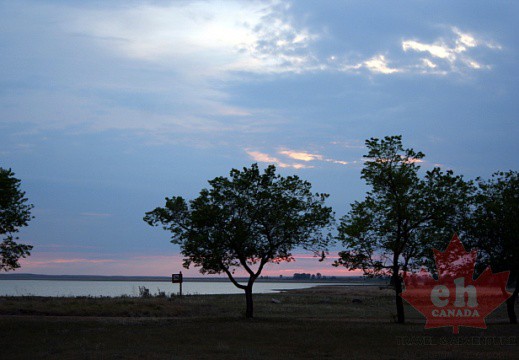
246,221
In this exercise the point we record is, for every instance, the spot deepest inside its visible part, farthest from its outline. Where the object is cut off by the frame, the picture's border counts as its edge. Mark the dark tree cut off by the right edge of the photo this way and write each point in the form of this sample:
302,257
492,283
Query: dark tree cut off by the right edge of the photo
495,228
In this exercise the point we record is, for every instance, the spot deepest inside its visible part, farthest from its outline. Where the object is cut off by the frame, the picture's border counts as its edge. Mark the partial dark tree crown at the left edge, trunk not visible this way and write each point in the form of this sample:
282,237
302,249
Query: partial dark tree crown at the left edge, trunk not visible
15,213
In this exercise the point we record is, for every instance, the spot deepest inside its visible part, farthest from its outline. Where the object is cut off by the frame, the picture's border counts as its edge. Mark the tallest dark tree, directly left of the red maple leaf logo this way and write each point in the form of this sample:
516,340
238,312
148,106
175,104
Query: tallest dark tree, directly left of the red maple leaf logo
403,215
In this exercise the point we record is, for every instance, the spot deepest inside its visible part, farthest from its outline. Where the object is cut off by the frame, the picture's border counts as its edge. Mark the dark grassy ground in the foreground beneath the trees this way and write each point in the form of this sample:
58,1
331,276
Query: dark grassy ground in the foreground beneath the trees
319,323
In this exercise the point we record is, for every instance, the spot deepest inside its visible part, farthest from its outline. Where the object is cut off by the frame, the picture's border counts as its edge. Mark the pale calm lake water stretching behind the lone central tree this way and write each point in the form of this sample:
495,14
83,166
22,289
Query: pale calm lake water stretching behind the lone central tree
131,288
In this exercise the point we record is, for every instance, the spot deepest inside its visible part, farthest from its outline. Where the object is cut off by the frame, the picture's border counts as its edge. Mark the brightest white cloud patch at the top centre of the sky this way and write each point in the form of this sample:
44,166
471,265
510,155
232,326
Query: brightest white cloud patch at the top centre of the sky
205,37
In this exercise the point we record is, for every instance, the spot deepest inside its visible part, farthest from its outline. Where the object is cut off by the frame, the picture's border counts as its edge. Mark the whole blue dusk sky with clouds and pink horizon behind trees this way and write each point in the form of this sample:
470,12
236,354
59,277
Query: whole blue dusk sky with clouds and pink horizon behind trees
107,107
